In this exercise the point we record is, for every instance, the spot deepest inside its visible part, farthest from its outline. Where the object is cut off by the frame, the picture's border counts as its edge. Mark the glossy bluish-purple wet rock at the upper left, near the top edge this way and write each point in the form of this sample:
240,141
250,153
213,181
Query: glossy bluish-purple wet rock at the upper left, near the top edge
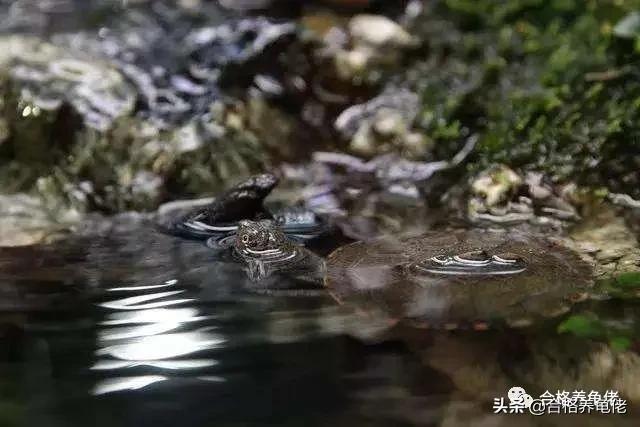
179,61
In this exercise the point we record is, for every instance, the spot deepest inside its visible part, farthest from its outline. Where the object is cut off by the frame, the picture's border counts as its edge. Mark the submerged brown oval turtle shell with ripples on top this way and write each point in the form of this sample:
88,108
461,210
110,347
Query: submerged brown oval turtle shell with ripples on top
461,277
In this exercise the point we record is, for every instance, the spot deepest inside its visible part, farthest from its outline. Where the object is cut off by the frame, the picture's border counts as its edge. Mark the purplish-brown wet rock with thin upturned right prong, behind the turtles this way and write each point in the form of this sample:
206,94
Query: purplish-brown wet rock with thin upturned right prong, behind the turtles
369,198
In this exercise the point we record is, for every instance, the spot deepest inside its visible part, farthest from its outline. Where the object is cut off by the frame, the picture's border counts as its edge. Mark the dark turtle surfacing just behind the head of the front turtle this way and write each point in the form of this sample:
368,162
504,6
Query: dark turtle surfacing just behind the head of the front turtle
216,221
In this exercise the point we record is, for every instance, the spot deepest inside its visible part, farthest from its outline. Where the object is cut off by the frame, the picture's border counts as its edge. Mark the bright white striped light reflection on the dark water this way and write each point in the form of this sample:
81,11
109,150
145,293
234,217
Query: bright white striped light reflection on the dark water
143,330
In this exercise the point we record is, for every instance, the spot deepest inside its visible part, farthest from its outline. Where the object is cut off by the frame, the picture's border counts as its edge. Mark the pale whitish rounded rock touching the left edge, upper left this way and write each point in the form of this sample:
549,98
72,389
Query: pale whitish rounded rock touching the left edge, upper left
43,78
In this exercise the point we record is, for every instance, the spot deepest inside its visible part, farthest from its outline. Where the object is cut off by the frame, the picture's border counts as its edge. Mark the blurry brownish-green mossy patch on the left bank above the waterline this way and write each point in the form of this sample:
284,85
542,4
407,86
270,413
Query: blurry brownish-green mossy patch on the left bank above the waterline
137,166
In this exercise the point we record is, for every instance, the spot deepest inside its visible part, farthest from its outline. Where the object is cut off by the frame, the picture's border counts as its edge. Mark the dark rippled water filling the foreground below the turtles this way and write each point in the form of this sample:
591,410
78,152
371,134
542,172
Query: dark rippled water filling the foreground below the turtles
132,327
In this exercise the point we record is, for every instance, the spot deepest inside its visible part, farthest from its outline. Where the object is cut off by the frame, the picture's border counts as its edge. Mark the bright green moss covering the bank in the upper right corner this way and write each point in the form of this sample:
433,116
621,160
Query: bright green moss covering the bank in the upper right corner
547,85
